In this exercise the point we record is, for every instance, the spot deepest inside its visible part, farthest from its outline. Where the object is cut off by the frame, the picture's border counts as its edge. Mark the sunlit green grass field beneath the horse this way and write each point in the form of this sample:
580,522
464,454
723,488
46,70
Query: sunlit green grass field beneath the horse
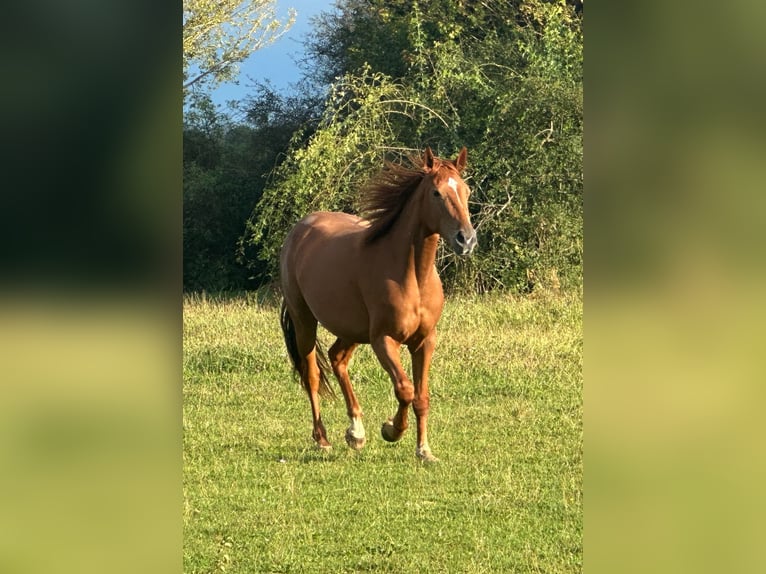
506,422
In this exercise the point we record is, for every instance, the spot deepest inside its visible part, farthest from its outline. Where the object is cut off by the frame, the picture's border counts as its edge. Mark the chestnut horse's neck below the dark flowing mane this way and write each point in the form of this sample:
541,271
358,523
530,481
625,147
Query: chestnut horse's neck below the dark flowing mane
413,249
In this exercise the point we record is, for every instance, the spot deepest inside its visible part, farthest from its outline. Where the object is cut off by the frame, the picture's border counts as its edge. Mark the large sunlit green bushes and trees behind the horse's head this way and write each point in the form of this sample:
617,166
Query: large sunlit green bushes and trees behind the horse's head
504,79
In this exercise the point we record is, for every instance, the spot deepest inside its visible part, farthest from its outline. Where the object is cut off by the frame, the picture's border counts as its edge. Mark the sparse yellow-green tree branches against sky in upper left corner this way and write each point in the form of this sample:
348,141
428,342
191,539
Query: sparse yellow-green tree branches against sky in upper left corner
219,34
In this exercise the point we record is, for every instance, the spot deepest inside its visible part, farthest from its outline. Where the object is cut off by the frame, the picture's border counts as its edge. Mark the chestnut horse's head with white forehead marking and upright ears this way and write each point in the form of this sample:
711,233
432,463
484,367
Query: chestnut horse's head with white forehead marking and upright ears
445,201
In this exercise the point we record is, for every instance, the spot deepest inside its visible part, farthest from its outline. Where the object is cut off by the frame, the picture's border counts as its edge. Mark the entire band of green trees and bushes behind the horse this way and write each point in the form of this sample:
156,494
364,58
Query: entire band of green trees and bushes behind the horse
502,78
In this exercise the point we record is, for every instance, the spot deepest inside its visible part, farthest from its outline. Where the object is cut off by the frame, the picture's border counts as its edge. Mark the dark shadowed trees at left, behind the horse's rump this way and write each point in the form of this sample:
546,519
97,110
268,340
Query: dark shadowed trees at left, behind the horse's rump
224,167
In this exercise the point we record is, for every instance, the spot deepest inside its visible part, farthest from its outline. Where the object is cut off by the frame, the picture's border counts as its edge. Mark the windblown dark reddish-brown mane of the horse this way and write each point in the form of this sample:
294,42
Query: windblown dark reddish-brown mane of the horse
383,198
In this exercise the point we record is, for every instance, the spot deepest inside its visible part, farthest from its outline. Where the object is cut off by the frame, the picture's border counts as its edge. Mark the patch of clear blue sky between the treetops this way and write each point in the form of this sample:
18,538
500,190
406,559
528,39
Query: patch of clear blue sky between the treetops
277,62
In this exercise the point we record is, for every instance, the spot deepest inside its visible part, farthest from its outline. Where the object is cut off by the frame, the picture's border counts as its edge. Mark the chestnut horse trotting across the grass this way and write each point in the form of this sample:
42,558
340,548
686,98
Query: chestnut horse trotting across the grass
373,280
